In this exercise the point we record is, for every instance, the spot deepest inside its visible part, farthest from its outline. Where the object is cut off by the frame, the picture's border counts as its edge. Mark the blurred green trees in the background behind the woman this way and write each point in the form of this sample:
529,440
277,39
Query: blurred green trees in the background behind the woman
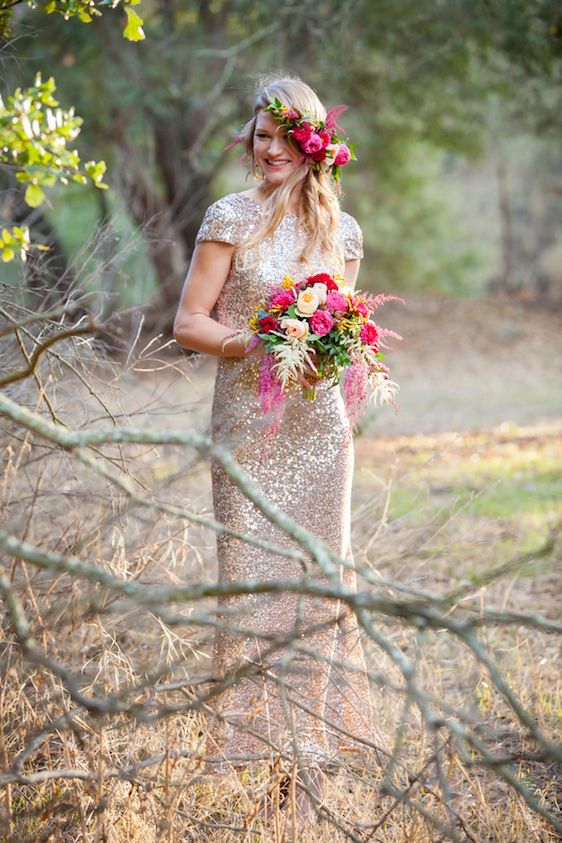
431,86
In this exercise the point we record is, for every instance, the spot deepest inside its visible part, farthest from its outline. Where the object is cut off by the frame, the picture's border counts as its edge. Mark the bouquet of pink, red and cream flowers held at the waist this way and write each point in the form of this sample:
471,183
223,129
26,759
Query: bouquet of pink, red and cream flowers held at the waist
320,323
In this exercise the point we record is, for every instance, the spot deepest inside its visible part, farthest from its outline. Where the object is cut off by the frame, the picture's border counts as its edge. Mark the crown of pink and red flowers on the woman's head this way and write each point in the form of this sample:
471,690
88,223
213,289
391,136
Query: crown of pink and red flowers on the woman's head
318,140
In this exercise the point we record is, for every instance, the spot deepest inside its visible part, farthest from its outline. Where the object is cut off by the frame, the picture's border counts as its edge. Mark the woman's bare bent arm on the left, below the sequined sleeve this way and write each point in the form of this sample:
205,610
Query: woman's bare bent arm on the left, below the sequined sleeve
194,327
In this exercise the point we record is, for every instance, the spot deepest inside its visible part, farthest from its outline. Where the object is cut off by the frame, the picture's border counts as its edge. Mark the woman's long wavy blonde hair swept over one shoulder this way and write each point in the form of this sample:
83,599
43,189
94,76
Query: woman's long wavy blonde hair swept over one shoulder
320,209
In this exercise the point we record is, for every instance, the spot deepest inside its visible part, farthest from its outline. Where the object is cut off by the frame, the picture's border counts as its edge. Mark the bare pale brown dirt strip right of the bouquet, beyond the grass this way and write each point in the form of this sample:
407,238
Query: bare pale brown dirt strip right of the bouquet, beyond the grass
467,364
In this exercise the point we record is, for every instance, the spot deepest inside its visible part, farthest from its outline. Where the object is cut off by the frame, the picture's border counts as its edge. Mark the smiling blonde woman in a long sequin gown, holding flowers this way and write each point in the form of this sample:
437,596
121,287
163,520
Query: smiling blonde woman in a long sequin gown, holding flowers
291,224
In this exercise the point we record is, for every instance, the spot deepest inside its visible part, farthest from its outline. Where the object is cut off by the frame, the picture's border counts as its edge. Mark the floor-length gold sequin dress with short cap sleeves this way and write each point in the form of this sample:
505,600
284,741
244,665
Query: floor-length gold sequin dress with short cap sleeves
306,470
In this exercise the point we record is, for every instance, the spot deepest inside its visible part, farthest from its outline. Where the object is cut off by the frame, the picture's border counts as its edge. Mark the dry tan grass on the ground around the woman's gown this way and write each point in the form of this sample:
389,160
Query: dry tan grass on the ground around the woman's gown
436,513
